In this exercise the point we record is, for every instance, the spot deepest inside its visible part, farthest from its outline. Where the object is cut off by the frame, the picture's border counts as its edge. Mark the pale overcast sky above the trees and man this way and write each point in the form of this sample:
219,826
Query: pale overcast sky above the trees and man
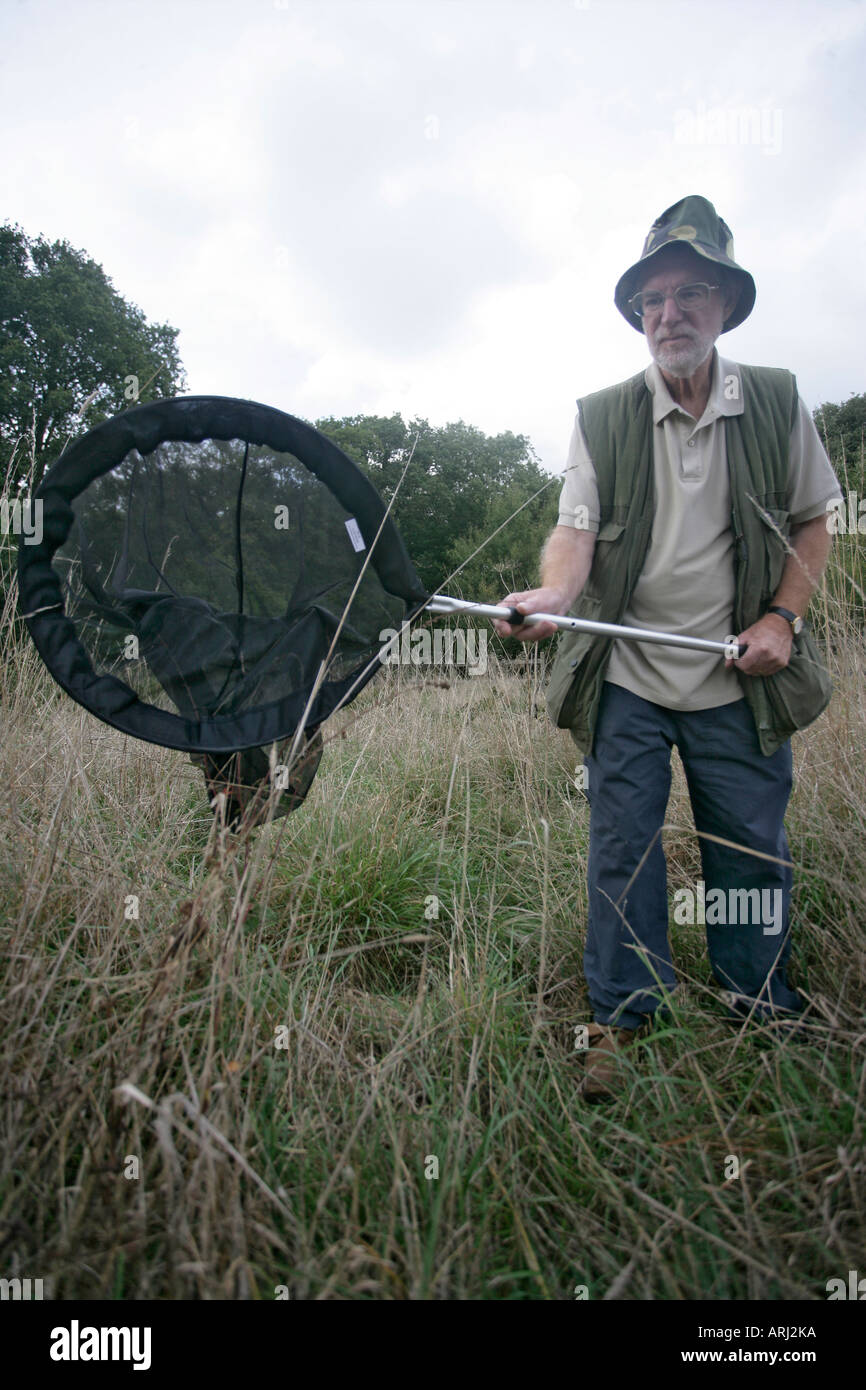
425,206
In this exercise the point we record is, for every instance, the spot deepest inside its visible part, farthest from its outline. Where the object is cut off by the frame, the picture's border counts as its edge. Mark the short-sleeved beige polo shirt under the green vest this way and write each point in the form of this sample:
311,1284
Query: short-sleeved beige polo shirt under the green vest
687,583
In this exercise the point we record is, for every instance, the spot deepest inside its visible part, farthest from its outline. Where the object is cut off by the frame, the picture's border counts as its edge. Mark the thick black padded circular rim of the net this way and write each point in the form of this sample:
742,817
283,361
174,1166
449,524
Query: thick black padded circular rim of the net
191,420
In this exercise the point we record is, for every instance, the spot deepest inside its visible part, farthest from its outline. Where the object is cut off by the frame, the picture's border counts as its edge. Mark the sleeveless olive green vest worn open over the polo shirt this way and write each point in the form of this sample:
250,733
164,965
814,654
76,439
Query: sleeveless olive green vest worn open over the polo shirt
619,429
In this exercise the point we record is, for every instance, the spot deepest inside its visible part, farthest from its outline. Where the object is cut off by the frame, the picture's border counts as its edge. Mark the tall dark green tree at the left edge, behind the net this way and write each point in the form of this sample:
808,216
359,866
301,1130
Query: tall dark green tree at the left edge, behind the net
73,352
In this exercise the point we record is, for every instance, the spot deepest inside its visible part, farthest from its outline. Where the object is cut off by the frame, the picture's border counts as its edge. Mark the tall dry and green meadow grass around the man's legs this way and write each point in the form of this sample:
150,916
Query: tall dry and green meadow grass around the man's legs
386,988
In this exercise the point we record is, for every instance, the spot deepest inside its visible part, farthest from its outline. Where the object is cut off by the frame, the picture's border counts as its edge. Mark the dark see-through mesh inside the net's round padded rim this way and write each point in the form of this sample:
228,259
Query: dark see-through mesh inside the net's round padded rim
212,578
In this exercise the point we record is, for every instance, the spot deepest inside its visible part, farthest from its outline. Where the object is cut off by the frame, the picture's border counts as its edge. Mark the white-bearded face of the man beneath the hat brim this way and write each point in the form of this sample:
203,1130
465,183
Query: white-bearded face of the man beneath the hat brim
682,340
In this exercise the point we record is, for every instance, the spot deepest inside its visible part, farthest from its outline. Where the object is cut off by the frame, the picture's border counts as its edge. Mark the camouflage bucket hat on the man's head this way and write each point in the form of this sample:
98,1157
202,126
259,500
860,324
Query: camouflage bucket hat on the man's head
694,223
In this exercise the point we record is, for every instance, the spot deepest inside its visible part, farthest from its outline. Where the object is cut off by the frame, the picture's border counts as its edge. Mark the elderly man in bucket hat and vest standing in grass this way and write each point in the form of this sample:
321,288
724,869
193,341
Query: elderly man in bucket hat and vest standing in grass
696,501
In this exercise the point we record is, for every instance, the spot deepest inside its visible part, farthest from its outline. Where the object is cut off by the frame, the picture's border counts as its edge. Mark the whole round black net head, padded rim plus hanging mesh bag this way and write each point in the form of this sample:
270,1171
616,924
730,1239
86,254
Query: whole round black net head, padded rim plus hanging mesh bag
215,576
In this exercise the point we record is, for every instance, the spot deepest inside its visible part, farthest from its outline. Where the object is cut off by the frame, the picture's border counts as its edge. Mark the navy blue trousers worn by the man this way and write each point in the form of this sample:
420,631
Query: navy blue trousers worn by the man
737,794
